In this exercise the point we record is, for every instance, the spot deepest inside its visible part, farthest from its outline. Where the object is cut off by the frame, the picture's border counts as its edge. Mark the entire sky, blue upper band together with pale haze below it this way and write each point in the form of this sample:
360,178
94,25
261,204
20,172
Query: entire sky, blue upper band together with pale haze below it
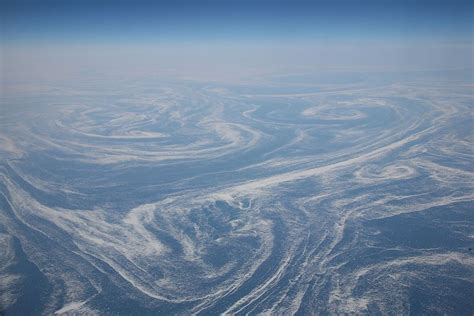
70,36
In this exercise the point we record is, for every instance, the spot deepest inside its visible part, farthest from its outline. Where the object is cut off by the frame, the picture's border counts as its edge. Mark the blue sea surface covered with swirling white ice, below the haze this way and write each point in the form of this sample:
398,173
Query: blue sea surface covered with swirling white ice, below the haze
182,198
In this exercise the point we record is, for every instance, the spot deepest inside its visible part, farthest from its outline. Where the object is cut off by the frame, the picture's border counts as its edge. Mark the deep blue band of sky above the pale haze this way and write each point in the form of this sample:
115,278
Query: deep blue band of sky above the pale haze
161,21
